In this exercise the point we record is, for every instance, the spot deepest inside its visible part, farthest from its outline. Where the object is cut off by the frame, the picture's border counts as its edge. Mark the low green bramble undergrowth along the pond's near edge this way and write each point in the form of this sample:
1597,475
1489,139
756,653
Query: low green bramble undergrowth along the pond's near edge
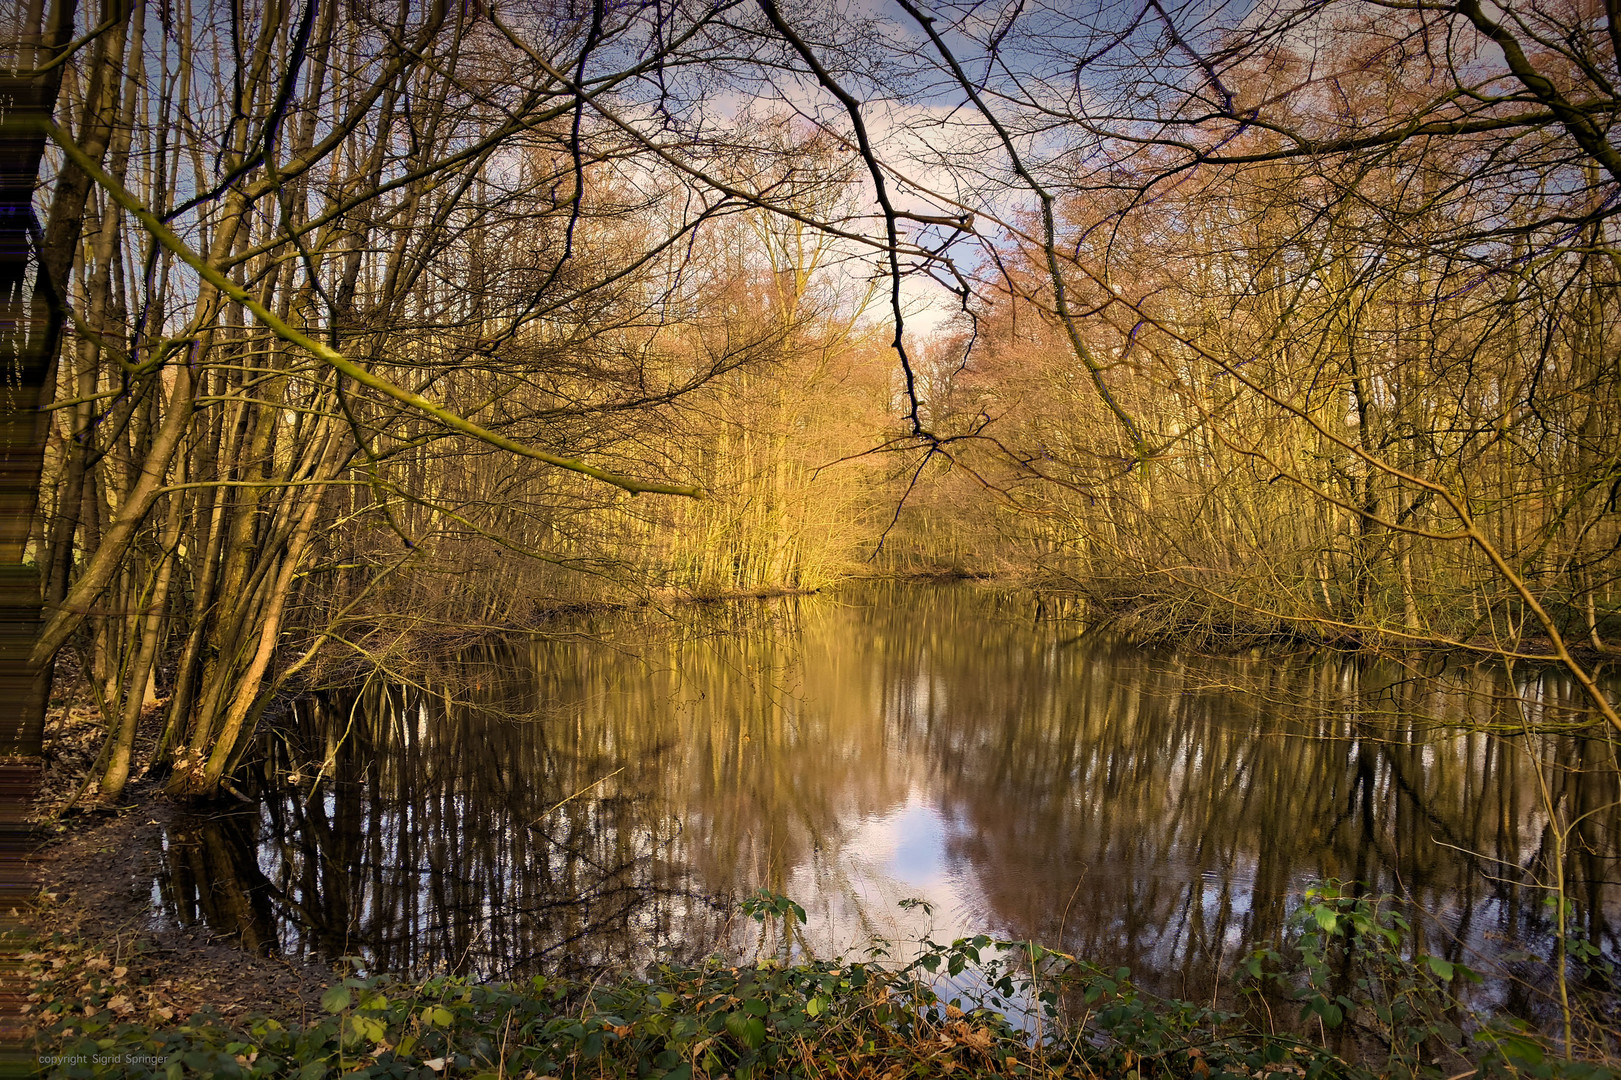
1374,1011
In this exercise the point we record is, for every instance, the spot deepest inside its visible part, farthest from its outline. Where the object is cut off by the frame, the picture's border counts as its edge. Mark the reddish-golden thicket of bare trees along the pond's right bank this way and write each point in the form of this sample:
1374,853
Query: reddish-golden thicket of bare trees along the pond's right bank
1354,306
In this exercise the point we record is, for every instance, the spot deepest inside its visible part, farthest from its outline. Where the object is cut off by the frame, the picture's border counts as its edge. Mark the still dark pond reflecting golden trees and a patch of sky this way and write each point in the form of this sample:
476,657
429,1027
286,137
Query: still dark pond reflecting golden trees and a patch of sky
605,799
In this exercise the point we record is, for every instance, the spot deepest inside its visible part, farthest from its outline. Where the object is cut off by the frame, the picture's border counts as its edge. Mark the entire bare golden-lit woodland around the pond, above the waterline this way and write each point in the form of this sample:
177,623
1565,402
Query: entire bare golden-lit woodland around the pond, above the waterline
335,328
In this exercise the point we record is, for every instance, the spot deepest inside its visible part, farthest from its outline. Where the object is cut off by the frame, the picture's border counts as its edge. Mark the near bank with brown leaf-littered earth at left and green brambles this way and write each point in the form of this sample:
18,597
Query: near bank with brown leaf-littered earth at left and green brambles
114,998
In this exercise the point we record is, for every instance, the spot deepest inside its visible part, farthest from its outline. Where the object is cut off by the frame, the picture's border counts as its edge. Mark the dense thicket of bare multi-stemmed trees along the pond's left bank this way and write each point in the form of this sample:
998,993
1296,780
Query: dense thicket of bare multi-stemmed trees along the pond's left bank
370,328
